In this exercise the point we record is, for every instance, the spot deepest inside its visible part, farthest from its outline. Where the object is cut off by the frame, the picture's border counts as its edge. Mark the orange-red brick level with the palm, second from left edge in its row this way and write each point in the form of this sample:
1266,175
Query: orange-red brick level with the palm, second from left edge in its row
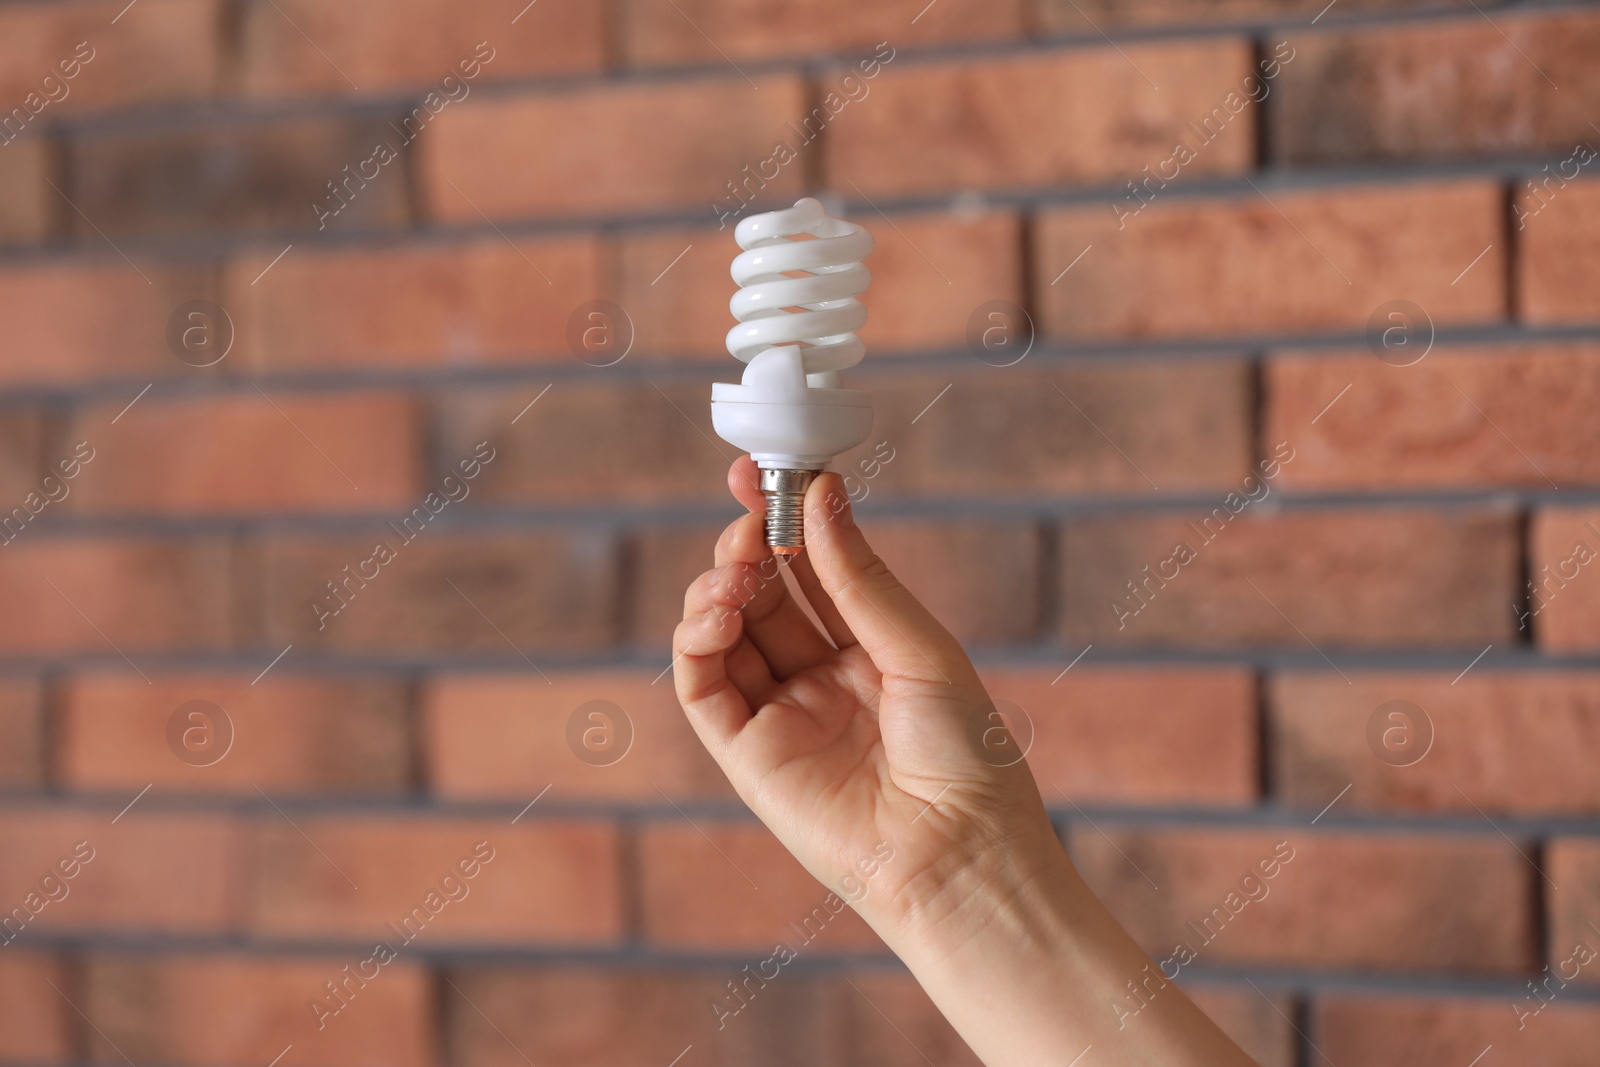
289,735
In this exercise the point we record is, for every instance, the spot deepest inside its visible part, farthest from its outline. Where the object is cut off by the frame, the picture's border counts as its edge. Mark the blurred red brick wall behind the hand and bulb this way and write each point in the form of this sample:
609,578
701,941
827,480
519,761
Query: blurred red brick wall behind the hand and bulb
1236,370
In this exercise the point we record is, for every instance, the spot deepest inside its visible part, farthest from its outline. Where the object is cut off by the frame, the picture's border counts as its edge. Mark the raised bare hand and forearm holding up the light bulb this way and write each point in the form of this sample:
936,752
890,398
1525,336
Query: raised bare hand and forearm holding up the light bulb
871,749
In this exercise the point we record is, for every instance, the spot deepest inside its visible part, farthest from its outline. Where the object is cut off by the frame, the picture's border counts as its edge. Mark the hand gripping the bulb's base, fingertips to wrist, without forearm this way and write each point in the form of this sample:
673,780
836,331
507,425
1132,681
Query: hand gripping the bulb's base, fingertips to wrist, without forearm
876,732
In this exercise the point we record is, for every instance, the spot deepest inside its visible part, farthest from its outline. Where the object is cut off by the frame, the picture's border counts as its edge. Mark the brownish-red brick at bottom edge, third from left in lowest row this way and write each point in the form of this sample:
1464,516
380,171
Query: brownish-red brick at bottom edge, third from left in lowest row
578,1017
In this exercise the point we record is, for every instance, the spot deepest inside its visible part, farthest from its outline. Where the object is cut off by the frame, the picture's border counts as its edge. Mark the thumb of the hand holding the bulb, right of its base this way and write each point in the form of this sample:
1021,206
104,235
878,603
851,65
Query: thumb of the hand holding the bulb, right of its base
902,636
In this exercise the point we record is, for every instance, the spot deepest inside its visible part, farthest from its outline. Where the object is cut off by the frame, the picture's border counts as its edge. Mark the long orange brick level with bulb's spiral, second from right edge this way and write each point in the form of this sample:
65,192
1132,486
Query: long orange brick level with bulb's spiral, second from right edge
1238,266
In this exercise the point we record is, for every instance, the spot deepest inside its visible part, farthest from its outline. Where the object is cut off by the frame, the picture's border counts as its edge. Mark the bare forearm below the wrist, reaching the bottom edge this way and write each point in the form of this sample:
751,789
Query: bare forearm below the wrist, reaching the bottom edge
1031,969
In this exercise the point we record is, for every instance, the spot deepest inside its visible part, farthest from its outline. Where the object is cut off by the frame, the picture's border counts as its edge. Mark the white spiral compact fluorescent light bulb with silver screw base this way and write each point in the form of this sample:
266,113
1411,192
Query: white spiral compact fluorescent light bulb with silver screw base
799,274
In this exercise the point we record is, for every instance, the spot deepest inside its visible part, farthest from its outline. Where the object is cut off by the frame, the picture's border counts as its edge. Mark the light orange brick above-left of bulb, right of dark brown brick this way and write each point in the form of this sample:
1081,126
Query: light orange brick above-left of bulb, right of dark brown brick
614,150
